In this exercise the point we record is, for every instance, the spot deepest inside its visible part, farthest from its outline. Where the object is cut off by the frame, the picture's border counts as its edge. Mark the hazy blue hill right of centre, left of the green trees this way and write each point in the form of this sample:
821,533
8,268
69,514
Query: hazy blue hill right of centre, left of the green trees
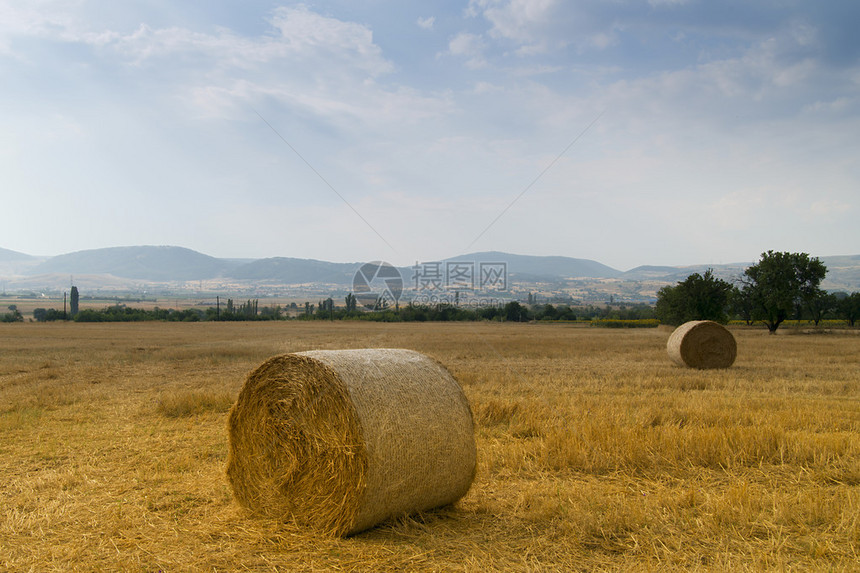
543,267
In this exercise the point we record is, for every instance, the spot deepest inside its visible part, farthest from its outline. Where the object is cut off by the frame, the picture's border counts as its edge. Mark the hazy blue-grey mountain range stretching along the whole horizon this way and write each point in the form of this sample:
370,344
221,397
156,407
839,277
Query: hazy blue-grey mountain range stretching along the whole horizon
172,264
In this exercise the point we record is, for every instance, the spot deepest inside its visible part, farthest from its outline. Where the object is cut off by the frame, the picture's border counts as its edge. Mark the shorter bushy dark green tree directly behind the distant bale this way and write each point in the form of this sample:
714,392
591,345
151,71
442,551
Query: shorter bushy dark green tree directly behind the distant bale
698,297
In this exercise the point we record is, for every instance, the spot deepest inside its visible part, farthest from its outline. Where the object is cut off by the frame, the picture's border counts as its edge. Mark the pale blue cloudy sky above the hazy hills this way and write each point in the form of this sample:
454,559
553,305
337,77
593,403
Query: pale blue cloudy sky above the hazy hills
648,132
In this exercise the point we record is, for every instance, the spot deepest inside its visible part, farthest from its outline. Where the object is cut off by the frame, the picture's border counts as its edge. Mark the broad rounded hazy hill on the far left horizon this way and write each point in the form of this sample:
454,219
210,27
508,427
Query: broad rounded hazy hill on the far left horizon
144,263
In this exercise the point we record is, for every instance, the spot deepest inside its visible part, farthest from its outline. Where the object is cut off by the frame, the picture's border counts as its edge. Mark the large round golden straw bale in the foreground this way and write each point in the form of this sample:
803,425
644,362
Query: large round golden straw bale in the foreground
341,440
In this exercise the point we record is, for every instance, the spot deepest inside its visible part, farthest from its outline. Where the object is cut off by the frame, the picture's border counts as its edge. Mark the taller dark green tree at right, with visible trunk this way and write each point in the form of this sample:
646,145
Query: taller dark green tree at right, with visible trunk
779,282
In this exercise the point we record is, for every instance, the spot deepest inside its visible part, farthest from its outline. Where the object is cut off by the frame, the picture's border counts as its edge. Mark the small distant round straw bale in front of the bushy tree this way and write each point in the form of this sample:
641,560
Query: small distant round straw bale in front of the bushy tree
702,344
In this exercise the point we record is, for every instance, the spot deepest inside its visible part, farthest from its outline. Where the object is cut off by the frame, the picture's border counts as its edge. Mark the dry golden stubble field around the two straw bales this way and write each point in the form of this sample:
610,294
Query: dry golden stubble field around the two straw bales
595,452
